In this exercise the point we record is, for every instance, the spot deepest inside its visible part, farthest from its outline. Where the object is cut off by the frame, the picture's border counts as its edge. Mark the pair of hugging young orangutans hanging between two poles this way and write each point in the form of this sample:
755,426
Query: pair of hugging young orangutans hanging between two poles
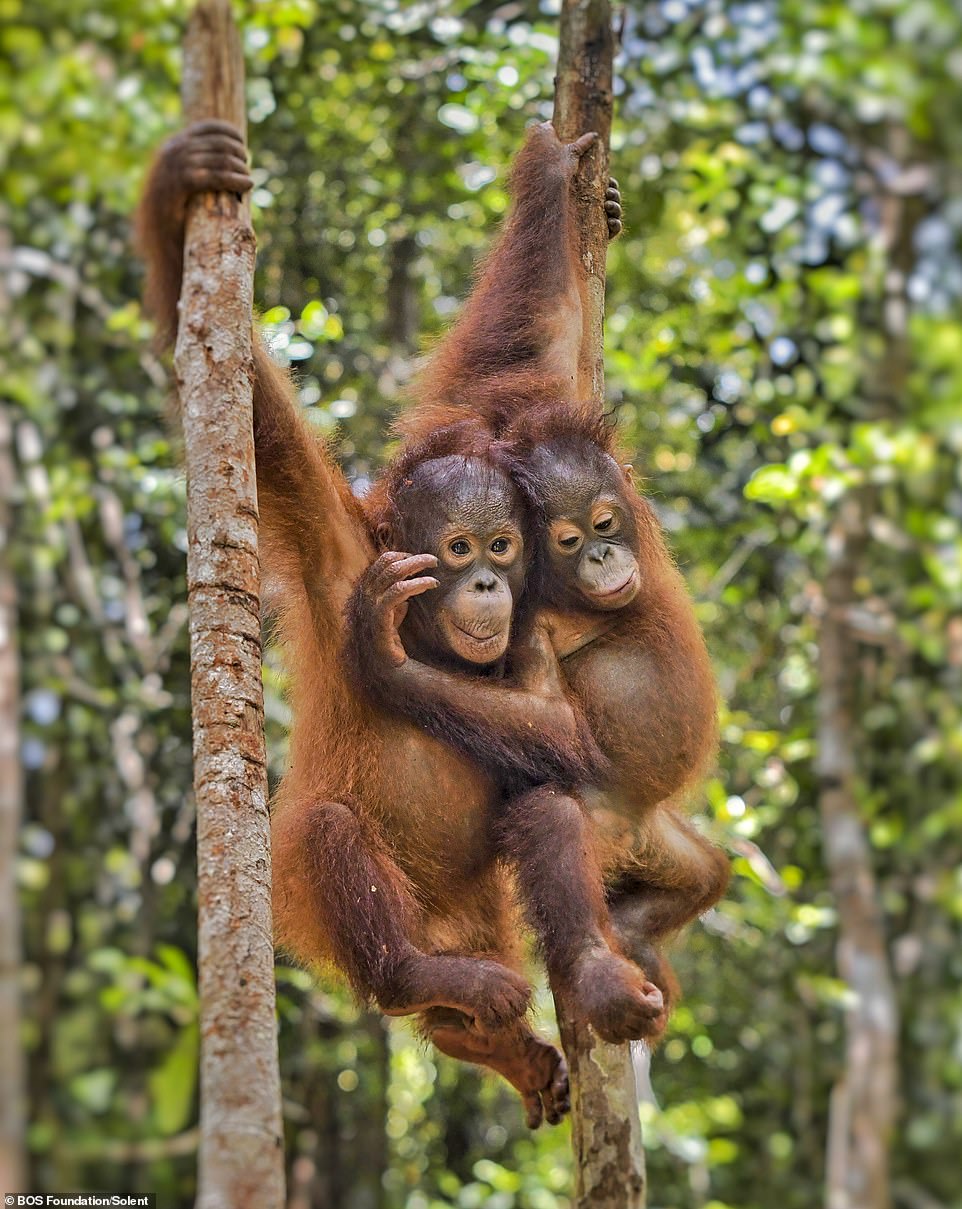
494,662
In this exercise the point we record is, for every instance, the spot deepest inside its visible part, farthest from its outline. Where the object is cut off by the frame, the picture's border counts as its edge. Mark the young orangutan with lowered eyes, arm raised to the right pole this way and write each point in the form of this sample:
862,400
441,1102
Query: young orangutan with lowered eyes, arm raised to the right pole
622,622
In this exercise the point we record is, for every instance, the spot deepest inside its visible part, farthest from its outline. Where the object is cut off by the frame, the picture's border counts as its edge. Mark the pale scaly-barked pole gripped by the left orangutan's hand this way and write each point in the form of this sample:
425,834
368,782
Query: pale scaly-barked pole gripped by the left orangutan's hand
241,1153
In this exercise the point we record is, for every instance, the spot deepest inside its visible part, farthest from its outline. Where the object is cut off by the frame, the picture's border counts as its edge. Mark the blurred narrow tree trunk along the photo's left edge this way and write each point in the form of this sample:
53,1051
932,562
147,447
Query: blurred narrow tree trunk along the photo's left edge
13,1097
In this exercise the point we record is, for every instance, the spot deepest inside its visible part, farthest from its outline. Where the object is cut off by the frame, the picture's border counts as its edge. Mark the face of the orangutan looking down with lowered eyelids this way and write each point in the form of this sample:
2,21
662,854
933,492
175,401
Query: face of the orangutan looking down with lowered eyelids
592,541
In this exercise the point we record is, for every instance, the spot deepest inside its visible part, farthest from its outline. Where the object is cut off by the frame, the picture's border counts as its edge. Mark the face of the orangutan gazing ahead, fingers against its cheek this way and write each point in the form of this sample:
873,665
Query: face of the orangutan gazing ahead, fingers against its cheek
466,516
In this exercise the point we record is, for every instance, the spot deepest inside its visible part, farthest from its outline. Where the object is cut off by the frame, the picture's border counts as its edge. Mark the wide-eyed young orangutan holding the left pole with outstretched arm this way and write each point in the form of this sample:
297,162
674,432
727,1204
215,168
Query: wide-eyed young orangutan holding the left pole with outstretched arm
383,852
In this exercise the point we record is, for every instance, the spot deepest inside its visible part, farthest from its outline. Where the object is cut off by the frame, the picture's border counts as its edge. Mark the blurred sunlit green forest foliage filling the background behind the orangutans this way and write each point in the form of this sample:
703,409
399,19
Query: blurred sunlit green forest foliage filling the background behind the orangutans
756,146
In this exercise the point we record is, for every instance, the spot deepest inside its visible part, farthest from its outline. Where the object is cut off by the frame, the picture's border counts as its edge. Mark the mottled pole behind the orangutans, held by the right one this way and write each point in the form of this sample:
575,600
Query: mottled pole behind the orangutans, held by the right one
606,1127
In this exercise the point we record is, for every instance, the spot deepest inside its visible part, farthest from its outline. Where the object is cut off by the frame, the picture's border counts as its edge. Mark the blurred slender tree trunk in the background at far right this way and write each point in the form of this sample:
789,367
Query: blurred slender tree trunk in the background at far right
865,1101
